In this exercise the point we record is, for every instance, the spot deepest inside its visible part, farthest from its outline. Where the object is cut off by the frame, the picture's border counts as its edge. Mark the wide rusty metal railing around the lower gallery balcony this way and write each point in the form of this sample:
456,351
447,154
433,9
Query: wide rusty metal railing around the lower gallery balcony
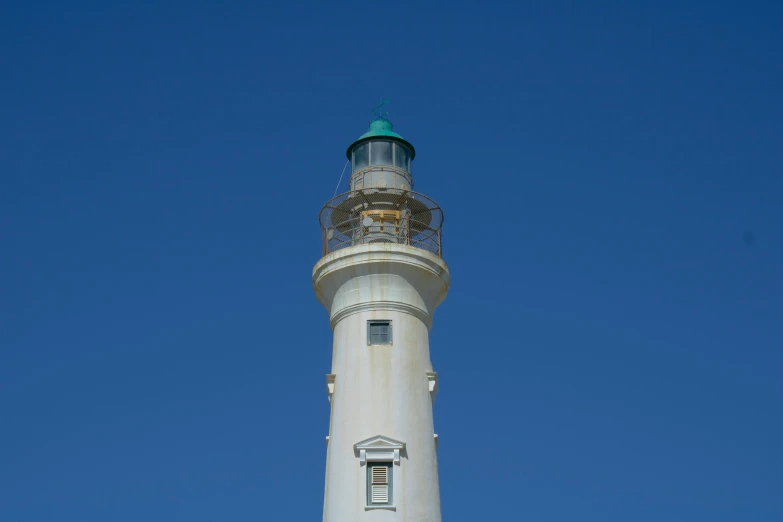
373,216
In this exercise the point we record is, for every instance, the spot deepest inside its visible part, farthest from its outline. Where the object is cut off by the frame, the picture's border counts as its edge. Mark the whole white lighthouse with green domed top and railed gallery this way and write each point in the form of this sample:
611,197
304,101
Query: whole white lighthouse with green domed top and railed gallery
380,278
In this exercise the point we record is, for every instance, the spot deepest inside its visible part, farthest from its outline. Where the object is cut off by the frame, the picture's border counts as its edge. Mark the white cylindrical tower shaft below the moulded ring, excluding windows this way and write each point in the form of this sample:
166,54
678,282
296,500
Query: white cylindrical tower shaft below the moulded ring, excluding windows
382,390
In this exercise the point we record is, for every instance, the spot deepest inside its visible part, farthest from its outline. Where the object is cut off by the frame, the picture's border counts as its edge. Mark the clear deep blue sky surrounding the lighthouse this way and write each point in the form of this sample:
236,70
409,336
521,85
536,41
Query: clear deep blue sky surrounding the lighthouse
610,349
